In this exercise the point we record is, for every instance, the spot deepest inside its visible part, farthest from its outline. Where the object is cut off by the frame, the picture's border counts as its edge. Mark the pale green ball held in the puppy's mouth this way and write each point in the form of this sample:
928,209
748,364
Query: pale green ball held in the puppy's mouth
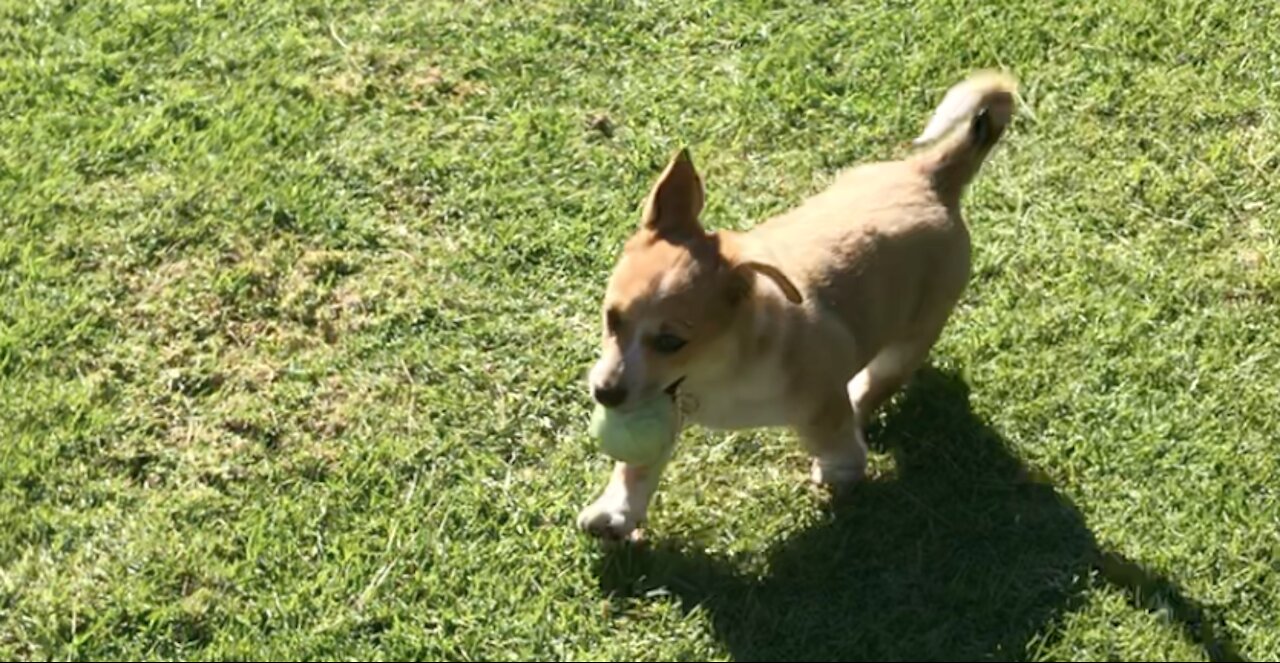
641,436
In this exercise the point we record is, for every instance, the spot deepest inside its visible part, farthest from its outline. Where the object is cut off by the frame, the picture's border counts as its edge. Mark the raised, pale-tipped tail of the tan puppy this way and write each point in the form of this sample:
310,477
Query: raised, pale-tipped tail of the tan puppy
984,104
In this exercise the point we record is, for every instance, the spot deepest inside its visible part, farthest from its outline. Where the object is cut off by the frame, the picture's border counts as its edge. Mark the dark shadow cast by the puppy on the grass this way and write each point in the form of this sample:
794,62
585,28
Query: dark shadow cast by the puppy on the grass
961,554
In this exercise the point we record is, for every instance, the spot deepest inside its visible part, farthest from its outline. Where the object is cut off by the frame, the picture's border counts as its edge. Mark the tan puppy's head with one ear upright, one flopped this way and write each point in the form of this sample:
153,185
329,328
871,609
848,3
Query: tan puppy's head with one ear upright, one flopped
674,294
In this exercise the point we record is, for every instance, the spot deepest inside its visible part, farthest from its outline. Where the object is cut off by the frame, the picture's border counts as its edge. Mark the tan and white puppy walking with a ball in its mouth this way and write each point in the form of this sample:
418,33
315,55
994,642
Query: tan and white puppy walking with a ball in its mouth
812,319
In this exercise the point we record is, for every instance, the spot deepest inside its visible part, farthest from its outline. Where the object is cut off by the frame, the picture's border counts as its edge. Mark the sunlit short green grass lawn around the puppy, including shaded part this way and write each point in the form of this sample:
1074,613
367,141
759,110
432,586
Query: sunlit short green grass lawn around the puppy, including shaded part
299,300
